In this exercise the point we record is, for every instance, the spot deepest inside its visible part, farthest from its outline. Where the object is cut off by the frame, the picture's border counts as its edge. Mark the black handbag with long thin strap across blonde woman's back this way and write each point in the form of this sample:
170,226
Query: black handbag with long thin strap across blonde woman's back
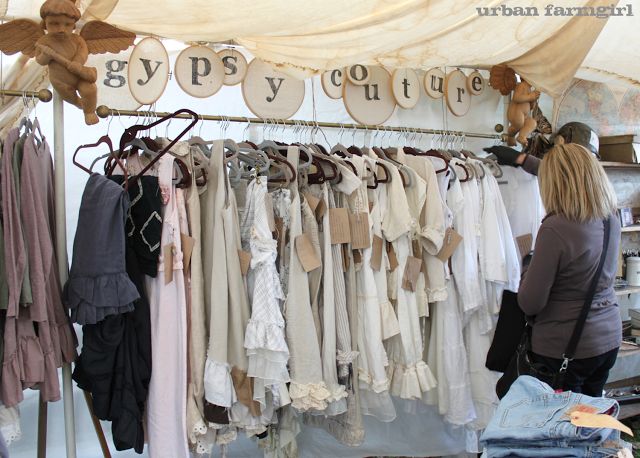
522,363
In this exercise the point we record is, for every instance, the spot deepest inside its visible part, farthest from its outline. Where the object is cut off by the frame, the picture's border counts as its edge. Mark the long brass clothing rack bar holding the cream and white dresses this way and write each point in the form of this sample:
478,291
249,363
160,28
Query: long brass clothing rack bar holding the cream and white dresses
104,112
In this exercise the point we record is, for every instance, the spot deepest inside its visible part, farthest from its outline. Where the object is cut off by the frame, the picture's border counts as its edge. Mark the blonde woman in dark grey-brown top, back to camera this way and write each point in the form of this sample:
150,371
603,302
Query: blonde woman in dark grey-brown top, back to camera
578,196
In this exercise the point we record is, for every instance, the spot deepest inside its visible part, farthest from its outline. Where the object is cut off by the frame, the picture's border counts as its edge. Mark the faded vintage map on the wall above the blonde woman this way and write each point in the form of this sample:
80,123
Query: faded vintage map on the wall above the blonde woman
608,110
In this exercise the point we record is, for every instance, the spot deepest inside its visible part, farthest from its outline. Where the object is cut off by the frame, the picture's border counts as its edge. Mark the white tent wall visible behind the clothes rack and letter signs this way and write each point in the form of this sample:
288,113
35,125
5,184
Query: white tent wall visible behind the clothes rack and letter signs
410,435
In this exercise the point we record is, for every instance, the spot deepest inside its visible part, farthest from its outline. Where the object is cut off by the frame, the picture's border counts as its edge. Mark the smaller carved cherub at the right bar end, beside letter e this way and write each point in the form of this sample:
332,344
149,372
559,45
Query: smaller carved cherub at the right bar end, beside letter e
521,123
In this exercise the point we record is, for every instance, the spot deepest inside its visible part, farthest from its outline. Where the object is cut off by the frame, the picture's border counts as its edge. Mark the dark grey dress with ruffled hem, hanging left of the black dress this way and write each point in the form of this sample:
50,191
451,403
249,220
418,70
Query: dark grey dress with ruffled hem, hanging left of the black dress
98,284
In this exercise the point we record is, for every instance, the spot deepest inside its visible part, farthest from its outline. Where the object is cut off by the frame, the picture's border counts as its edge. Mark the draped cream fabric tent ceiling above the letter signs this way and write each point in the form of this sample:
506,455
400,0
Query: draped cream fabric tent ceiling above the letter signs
305,37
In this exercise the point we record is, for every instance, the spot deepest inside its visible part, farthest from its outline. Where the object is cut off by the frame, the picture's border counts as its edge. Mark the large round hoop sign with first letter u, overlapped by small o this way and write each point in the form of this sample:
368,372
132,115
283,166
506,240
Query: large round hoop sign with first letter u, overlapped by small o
373,102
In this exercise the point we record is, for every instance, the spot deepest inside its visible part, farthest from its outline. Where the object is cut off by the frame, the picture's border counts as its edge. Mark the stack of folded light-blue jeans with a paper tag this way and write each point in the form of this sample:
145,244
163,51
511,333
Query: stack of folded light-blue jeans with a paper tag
533,420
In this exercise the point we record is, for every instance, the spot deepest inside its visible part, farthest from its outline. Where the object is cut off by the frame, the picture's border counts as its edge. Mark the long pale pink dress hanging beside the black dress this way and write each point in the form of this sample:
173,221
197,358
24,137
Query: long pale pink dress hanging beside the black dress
166,405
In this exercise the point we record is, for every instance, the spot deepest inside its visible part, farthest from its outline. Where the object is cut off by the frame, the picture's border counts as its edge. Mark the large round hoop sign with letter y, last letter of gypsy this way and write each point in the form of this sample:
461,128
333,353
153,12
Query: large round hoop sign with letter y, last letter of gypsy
271,94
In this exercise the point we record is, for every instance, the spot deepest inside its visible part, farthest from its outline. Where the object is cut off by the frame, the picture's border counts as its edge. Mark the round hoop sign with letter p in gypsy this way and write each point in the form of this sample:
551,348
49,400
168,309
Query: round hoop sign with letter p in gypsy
199,71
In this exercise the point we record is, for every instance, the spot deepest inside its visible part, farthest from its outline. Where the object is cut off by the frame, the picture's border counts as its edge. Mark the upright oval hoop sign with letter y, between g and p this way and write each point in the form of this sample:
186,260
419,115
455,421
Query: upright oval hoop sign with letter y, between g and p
148,71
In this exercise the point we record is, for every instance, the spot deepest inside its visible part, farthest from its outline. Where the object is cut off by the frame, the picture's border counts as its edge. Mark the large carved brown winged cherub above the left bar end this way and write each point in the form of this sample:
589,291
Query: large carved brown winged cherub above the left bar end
54,43
